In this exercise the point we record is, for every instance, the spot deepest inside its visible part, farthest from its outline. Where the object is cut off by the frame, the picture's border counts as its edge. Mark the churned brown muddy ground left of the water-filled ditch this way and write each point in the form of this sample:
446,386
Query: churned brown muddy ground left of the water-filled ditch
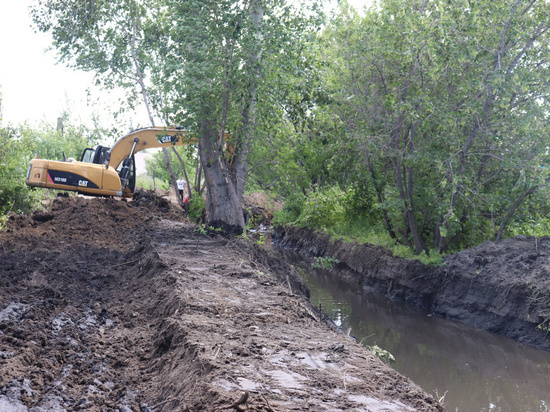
107,305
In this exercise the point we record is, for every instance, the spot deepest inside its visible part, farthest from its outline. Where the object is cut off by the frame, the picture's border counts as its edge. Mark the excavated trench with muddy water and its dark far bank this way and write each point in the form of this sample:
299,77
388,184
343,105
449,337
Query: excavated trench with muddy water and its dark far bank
409,312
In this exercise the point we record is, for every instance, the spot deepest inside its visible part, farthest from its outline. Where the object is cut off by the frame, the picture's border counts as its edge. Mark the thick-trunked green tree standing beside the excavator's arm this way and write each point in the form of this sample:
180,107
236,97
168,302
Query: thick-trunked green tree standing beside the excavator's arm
228,52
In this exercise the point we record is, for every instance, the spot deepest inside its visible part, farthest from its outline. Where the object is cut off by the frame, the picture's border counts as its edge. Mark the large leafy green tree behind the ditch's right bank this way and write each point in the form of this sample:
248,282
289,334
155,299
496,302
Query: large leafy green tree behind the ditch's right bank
446,103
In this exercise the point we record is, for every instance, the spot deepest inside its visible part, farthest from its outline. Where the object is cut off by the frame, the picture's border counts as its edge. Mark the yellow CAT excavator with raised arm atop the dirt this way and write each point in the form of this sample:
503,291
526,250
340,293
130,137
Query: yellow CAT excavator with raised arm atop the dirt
104,171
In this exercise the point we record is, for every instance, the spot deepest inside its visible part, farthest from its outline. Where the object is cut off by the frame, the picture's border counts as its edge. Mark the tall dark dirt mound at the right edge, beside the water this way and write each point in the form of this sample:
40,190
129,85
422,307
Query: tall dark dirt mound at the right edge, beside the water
501,287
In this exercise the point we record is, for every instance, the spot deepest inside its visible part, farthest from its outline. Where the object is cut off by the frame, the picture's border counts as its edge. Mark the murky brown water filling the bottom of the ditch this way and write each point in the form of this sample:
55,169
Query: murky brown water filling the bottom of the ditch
472,370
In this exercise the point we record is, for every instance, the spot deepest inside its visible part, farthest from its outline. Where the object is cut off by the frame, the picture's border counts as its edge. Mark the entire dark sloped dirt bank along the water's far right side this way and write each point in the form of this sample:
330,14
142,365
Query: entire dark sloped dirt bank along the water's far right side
499,287
